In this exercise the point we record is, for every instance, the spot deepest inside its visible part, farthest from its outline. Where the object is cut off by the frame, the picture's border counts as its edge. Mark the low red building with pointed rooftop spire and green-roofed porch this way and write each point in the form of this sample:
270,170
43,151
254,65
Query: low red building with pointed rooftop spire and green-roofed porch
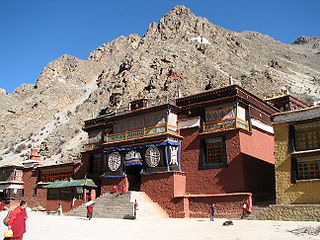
47,186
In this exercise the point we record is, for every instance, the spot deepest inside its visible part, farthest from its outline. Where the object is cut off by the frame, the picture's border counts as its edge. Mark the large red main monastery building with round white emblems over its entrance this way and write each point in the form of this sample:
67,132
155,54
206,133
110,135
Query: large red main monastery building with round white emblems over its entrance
212,147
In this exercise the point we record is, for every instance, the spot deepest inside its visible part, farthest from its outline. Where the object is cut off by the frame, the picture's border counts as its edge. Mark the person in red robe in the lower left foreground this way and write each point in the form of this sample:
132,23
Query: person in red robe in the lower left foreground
17,221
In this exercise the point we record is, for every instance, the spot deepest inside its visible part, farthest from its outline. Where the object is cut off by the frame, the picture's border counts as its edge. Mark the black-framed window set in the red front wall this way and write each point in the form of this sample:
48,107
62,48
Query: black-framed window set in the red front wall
213,153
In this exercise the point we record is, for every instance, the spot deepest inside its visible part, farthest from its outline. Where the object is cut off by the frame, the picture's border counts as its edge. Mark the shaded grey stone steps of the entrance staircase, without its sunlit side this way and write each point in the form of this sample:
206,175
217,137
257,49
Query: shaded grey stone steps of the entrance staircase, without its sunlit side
107,206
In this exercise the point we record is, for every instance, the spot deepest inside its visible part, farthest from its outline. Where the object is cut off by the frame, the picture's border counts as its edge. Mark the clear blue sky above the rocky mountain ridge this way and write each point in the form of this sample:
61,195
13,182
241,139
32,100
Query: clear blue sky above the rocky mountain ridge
35,32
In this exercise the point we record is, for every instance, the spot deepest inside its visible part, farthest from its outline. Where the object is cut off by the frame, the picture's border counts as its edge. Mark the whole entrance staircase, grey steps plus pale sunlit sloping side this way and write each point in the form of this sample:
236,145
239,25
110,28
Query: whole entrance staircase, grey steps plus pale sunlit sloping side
121,206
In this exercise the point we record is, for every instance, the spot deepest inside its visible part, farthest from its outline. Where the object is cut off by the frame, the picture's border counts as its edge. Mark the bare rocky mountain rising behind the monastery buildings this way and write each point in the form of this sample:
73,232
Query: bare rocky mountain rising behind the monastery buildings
181,55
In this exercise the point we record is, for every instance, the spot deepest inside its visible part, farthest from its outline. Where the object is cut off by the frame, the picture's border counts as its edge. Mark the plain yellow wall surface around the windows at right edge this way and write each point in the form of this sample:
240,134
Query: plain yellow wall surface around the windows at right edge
303,191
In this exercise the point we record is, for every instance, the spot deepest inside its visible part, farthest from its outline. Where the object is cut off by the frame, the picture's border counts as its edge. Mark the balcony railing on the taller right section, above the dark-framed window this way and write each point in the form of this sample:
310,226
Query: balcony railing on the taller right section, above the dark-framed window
225,124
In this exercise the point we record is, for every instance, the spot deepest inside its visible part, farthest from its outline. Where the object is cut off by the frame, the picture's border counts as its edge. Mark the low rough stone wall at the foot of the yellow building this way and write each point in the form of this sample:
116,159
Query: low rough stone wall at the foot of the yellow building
294,212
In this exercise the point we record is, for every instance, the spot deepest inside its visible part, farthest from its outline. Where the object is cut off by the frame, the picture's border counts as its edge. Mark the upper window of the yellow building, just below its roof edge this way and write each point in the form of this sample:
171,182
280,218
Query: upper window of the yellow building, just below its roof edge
307,136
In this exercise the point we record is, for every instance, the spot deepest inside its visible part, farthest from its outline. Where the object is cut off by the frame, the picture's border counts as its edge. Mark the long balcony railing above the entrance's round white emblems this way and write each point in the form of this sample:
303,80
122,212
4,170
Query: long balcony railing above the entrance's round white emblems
142,133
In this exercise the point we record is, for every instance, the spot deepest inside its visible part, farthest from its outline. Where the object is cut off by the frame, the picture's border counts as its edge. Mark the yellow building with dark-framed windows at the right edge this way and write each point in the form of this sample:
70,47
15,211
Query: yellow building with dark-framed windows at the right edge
297,156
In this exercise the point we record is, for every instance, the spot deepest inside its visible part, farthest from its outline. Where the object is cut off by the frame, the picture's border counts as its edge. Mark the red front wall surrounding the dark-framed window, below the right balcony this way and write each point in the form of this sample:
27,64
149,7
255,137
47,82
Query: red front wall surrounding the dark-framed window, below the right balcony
222,180
